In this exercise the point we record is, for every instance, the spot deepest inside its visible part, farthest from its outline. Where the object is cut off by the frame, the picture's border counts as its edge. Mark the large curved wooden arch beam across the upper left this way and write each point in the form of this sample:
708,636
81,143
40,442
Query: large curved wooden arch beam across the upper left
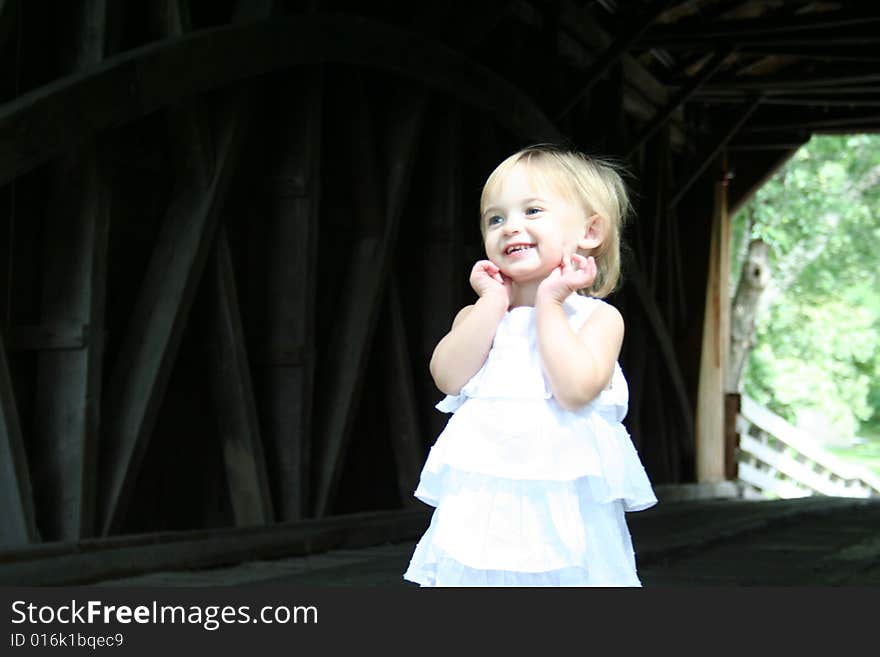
40,124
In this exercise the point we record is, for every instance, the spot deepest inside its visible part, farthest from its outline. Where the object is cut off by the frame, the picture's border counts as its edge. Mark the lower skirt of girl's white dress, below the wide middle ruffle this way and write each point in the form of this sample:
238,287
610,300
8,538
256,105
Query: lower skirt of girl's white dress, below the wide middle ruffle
492,532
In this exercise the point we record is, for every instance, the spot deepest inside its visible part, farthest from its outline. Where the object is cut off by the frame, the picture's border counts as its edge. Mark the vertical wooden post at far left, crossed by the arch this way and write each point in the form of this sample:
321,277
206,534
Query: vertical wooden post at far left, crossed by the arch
68,394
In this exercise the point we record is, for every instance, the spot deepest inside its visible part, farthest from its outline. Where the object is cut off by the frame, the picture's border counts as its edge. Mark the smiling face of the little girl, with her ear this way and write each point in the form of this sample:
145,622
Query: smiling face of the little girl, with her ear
529,227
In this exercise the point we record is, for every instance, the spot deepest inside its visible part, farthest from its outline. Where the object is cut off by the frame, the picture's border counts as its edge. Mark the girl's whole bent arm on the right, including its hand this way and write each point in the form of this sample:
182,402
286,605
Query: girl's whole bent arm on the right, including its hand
578,365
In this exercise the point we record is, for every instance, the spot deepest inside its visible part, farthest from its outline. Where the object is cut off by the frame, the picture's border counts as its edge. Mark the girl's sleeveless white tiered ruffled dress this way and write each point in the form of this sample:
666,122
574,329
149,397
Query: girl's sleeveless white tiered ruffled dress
526,492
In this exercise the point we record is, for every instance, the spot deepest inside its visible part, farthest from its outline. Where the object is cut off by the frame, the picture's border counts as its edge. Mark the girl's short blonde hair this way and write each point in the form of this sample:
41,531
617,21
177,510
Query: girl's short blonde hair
594,183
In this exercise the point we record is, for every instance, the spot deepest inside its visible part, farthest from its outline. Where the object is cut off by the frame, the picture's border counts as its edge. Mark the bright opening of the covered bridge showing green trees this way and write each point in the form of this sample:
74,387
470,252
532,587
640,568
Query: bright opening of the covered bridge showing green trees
805,310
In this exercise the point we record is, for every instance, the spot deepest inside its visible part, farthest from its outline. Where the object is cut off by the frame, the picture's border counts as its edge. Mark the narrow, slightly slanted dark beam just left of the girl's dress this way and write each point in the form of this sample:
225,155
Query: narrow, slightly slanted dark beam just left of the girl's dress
406,434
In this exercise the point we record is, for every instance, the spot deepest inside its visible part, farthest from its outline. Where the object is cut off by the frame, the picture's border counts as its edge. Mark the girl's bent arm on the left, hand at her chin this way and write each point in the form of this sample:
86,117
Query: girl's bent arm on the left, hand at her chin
462,352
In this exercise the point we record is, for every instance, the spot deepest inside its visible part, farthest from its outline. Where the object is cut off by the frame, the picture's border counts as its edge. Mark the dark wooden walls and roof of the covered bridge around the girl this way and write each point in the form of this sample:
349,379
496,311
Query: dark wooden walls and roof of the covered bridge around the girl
234,231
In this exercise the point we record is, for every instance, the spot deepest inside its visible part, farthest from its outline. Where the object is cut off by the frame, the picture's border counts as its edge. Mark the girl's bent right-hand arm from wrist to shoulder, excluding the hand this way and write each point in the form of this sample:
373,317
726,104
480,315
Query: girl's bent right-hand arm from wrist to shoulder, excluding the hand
578,365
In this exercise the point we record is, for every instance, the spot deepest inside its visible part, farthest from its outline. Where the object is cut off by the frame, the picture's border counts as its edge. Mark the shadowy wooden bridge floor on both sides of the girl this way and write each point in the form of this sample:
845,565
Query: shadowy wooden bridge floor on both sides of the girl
810,541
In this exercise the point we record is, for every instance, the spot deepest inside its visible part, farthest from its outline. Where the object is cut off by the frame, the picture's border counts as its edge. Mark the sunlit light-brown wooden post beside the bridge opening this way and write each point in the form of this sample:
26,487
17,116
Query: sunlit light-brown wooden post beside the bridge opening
716,330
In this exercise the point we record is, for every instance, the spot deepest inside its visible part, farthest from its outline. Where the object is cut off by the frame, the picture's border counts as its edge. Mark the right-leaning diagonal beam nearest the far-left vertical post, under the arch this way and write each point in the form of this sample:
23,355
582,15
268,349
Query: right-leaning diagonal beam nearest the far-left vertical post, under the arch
160,315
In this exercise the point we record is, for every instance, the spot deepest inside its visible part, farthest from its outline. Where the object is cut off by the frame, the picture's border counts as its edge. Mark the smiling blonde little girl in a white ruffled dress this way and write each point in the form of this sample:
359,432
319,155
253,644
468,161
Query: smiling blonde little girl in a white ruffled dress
534,471
